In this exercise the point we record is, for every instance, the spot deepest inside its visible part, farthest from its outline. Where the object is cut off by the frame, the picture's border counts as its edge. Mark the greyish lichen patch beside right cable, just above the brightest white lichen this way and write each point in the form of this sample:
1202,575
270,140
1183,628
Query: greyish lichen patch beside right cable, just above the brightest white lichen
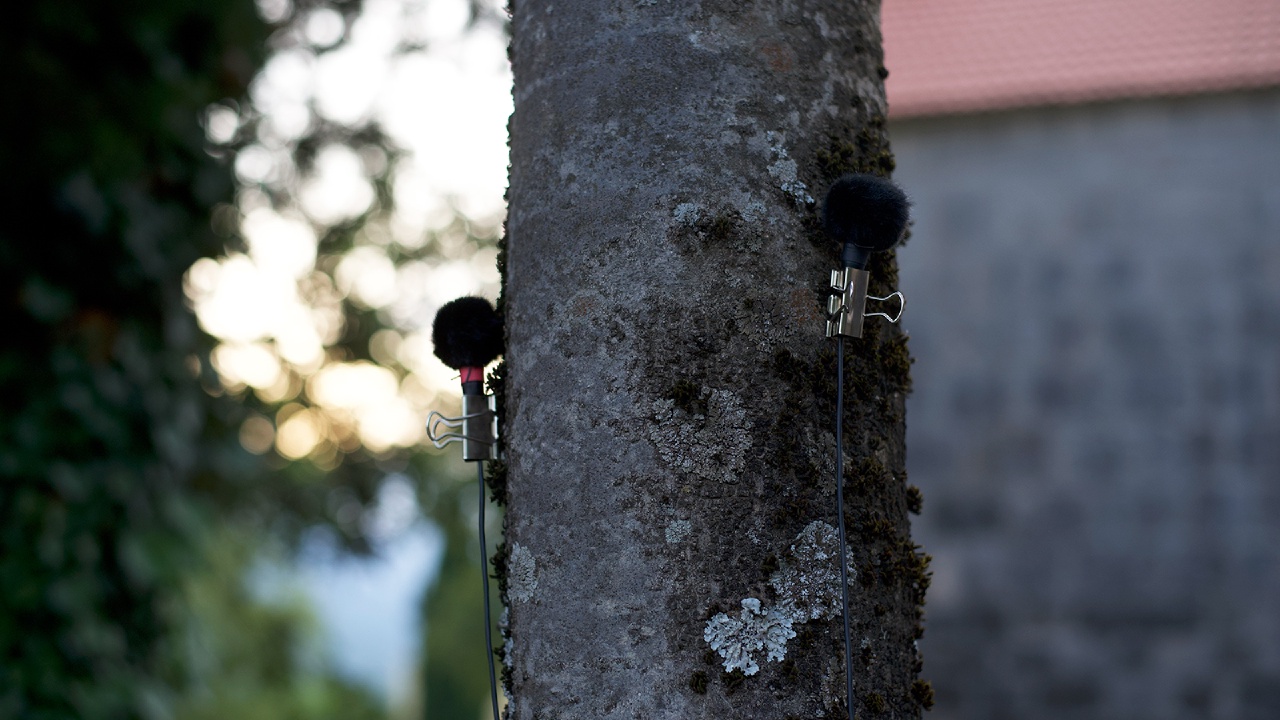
808,585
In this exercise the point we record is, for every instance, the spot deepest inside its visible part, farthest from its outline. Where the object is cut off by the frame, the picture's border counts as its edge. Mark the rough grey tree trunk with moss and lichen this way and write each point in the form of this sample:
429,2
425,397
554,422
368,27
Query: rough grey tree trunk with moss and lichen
670,395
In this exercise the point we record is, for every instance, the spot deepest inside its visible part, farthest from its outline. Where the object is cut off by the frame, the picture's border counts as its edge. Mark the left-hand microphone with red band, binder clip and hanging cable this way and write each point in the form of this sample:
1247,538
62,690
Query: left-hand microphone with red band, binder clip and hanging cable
468,336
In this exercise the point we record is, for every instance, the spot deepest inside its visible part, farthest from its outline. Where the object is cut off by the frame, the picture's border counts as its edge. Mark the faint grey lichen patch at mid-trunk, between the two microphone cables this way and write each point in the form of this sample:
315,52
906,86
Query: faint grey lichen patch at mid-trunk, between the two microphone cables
711,446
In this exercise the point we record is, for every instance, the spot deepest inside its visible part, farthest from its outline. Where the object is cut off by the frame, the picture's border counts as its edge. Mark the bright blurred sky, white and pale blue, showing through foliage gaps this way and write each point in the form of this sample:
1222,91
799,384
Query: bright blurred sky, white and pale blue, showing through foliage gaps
442,92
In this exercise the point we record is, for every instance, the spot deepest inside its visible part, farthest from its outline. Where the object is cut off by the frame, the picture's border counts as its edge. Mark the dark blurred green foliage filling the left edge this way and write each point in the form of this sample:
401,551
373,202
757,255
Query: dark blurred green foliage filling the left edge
115,461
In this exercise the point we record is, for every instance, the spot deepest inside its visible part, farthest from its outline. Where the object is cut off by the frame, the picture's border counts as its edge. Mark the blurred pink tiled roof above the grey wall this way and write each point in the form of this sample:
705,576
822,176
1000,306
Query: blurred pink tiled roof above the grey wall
966,56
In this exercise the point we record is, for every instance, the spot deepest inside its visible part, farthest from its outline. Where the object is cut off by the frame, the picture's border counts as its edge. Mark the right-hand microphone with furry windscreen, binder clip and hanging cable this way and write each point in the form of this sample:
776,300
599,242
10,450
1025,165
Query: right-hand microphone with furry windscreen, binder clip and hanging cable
866,215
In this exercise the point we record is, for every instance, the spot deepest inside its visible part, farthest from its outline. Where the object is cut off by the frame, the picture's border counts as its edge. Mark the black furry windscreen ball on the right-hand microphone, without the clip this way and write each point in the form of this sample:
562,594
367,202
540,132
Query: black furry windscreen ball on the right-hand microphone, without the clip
866,211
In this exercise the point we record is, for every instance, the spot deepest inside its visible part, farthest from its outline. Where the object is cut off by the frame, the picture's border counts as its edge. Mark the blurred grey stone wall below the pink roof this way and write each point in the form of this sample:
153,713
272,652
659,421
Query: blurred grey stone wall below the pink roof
1094,302
